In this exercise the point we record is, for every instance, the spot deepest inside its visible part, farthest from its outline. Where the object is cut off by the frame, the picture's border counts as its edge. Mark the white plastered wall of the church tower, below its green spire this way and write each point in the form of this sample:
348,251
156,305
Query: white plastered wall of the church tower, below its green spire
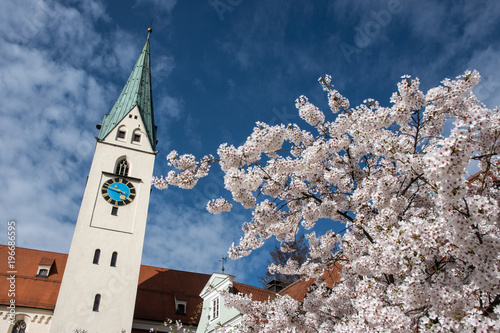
97,228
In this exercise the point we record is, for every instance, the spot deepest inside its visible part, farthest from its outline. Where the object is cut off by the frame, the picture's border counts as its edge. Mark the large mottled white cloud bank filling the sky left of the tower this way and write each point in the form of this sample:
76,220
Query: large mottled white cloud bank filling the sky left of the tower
49,105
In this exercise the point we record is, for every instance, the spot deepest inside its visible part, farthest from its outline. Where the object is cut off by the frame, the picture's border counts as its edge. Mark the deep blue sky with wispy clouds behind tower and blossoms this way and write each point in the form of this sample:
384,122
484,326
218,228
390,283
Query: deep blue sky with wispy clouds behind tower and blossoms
218,66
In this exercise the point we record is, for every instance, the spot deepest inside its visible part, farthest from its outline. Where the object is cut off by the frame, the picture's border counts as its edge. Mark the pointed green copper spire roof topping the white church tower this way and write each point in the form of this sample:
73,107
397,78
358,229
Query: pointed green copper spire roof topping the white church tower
137,92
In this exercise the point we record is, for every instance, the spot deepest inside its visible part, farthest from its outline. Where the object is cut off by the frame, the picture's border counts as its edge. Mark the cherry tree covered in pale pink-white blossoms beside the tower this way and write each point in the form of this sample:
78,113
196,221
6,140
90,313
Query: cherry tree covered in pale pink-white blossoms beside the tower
420,250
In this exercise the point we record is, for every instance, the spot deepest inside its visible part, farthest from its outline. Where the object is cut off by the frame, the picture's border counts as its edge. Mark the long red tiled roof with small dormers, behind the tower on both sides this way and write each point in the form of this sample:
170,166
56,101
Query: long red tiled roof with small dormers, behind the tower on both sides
158,287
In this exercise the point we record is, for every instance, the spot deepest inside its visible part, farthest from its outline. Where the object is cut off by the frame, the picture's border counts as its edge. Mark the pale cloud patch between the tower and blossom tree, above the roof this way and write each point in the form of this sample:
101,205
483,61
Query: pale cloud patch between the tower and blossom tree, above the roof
188,237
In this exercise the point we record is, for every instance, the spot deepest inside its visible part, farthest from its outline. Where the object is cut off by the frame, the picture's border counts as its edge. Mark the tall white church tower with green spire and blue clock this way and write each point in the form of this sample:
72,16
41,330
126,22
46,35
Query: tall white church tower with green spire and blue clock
99,286
